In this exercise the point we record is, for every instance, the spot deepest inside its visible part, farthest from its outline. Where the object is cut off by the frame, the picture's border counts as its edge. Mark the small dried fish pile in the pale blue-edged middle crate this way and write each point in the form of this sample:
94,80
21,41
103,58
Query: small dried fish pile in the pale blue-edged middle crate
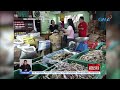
62,56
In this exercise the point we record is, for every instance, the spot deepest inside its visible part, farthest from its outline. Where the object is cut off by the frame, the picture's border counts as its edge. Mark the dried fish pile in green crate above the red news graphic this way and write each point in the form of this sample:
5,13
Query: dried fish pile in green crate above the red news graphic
95,56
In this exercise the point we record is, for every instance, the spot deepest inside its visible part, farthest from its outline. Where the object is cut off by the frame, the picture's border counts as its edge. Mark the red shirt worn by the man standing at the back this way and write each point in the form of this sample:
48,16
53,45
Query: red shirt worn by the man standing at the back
83,33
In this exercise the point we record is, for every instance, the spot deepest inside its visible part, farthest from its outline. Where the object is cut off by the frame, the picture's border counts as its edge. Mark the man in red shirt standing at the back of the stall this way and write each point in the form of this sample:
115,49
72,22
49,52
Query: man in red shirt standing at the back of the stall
82,28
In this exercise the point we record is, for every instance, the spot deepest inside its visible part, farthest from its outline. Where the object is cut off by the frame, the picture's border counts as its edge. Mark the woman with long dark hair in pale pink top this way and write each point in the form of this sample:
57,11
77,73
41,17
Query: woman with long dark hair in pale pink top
70,31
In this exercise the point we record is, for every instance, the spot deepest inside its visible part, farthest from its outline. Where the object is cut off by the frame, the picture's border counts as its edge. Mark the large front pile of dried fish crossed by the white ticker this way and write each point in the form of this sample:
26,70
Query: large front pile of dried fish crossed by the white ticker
68,67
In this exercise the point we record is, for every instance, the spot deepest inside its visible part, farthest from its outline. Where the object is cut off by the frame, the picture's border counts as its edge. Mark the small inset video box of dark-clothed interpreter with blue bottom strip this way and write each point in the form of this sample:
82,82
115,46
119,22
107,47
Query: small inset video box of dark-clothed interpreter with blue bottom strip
25,66
